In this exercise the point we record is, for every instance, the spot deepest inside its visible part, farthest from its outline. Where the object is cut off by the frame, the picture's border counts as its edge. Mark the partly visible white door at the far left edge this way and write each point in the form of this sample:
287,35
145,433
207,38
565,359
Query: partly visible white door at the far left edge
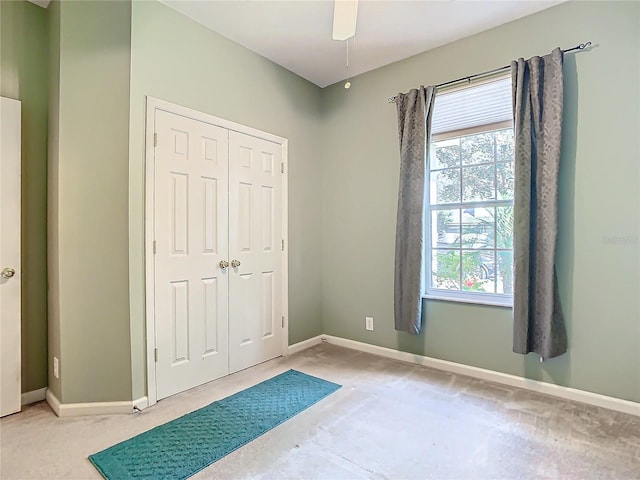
10,161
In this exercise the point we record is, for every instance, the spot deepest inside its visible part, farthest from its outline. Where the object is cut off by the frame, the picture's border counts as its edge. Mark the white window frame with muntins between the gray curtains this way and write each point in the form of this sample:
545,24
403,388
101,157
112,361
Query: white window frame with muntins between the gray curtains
461,296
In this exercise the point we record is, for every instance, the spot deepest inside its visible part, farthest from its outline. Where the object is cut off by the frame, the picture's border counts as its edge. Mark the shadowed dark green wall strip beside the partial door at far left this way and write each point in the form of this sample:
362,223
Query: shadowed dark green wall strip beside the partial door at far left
23,76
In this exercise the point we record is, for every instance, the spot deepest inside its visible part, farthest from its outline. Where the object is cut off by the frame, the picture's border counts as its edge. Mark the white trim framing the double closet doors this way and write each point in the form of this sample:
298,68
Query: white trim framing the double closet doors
153,104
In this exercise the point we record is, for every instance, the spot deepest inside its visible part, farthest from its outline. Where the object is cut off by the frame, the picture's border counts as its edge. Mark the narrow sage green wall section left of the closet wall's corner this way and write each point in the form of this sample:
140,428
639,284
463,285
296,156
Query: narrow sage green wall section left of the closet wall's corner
88,211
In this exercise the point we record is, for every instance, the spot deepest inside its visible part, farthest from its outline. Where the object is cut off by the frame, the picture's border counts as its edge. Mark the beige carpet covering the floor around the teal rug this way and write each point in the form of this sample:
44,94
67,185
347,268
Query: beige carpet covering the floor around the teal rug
391,420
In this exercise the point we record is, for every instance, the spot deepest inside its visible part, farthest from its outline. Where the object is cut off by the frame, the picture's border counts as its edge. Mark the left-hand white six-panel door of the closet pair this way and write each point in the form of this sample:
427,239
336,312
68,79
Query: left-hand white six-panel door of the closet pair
191,235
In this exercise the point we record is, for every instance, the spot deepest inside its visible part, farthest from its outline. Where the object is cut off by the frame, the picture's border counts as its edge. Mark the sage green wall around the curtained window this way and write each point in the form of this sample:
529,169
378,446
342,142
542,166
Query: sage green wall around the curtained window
598,245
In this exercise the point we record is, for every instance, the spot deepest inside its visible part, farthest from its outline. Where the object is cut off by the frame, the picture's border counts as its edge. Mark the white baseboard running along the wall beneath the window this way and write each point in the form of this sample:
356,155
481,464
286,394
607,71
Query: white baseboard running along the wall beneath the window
558,391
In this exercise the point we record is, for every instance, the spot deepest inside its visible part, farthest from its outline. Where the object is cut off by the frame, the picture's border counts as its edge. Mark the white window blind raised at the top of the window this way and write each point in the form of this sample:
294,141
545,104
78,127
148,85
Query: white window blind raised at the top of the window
470,107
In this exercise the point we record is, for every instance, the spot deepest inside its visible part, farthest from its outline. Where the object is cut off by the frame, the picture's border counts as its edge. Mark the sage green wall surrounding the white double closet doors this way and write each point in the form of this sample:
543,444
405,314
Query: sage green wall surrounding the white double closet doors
176,59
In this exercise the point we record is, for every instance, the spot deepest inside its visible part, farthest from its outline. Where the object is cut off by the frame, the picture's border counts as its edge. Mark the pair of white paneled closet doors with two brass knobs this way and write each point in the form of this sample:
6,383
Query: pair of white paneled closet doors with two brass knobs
217,199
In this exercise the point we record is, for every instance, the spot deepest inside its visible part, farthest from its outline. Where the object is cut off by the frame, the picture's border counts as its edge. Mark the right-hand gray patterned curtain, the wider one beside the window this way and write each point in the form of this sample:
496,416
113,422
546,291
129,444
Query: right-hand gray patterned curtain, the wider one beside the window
537,107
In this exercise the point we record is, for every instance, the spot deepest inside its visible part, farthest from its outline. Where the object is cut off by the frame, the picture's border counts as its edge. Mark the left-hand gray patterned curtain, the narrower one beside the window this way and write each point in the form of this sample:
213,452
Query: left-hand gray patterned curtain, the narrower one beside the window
414,127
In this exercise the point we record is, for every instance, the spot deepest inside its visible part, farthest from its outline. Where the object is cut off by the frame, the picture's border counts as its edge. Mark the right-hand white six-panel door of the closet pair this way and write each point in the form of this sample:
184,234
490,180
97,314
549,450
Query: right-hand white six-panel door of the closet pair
255,236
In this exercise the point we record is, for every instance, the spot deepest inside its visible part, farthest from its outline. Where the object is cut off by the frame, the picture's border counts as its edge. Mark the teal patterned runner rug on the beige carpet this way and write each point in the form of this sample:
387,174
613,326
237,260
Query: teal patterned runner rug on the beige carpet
186,445
